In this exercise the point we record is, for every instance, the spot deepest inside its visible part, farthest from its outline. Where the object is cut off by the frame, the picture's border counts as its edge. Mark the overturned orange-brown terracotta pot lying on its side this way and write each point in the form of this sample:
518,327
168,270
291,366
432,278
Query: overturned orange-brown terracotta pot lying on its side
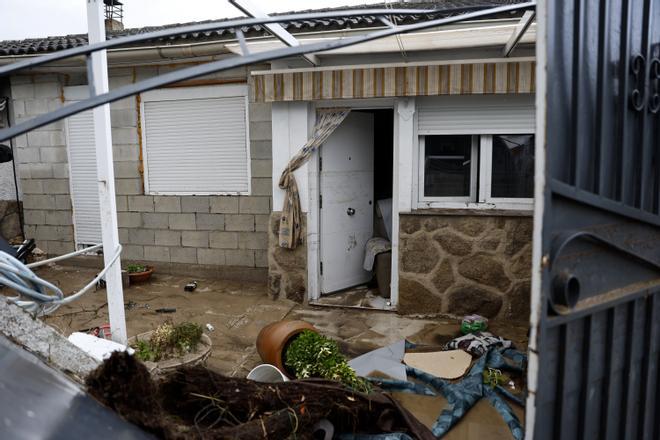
274,339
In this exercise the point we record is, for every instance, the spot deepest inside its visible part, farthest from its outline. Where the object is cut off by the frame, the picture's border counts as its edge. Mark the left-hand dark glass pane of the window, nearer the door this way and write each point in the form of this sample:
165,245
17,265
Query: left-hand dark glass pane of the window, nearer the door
447,166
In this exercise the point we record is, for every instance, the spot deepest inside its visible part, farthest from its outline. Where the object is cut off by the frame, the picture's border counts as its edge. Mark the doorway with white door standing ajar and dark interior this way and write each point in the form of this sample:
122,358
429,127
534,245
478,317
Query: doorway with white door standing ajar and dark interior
355,206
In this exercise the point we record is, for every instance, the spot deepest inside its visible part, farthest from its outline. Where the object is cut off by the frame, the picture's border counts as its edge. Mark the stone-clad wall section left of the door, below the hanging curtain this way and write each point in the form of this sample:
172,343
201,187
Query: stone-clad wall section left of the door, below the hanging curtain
287,269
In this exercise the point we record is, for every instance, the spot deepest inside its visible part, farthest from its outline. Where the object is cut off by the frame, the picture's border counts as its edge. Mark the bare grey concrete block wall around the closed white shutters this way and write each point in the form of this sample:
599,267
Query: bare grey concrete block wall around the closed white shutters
201,230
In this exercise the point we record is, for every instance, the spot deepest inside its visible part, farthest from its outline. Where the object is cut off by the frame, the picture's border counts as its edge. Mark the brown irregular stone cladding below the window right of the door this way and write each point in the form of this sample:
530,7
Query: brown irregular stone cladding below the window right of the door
462,264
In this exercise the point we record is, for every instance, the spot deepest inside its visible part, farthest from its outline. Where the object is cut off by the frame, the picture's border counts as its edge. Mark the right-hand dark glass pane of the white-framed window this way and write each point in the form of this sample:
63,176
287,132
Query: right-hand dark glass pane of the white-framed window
513,166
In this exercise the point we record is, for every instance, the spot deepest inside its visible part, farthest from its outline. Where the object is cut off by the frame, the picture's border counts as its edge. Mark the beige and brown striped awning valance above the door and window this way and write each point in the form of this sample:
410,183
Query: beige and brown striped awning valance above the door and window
379,82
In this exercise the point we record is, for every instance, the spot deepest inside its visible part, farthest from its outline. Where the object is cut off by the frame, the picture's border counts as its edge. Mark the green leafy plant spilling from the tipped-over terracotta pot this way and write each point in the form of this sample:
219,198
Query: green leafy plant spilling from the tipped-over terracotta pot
313,355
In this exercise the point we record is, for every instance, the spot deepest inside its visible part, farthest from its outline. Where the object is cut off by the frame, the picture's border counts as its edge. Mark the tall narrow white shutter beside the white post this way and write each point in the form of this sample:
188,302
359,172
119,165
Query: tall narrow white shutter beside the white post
83,181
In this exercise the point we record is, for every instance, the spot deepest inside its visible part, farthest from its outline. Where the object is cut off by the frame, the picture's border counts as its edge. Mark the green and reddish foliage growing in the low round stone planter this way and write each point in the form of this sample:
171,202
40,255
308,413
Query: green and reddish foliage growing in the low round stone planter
169,340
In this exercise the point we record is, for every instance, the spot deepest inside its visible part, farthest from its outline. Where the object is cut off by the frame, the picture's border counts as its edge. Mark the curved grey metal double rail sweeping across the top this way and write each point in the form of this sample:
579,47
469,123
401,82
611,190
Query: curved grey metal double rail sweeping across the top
225,64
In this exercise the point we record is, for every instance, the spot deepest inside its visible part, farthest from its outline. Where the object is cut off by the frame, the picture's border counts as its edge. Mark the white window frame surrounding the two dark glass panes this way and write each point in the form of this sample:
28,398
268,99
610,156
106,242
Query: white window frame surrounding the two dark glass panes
481,180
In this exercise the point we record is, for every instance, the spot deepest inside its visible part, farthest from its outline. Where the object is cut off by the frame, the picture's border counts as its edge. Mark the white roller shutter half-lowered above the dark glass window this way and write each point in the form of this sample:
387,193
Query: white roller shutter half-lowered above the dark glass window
484,114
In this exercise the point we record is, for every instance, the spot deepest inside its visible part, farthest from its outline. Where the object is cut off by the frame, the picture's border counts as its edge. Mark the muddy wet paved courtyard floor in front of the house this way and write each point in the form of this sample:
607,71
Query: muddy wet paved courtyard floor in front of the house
238,310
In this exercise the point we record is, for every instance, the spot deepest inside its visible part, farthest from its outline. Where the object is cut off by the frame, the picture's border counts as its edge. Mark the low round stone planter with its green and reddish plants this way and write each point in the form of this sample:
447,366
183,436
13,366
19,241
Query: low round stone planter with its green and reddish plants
171,345
